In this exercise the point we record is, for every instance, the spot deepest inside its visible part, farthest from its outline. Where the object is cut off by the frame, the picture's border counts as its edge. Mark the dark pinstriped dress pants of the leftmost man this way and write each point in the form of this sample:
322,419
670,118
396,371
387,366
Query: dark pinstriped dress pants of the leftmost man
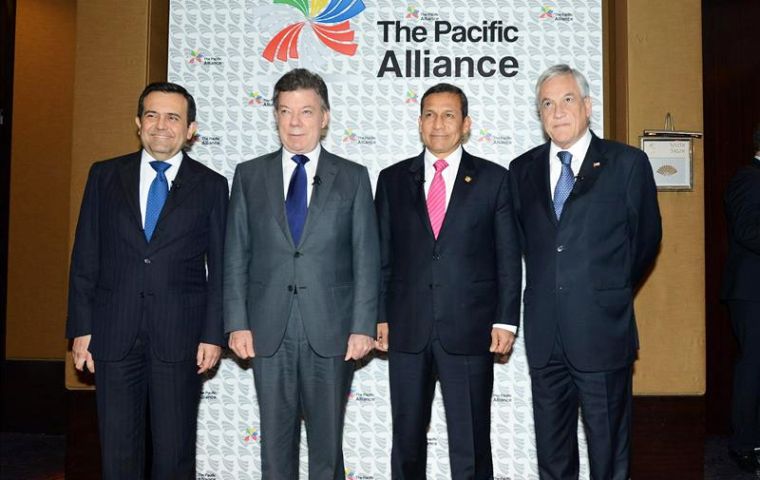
171,392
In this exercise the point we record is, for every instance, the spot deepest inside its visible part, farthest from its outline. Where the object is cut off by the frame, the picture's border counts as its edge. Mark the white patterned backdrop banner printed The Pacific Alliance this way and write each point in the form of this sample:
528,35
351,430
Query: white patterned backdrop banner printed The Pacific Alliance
377,58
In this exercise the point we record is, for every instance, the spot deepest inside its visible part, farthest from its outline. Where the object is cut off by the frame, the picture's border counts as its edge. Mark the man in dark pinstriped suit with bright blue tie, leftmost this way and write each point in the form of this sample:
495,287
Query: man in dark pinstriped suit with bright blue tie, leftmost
145,292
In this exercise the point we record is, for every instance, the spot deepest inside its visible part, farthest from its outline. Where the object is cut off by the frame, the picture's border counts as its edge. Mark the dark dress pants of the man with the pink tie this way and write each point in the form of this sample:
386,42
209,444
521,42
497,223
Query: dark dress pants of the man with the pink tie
466,386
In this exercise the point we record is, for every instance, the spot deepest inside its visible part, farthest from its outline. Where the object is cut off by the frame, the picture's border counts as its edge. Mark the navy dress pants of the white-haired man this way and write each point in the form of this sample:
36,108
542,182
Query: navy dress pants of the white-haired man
605,400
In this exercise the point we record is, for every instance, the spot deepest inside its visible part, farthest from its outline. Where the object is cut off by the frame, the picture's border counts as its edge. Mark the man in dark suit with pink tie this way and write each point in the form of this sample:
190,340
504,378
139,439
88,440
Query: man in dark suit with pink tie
451,288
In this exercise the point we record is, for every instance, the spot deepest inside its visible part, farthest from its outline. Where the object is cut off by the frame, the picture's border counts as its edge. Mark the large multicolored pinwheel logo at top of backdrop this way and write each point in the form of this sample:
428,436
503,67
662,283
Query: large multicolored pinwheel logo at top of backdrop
329,21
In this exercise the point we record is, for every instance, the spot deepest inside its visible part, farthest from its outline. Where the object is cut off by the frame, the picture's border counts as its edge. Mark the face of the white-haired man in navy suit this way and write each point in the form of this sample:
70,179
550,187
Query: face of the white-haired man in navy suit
564,113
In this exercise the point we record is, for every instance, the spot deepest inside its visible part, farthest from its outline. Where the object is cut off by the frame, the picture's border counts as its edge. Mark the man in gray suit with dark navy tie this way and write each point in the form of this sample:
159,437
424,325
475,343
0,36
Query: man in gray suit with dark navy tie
301,282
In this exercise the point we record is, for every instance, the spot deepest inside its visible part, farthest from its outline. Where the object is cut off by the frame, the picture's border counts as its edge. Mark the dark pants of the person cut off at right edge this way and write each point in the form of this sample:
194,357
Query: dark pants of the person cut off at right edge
745,402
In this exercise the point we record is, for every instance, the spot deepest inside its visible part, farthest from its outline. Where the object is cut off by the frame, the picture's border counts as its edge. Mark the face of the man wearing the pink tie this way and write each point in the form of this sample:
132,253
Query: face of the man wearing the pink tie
442,126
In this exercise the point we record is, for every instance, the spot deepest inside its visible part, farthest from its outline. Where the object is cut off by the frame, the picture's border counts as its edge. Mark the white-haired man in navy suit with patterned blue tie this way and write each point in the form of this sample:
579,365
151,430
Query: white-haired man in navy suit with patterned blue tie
590,229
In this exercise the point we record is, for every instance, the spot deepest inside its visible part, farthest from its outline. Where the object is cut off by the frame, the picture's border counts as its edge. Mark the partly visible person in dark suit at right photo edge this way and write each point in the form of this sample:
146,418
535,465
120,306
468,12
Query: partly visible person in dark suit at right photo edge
740,292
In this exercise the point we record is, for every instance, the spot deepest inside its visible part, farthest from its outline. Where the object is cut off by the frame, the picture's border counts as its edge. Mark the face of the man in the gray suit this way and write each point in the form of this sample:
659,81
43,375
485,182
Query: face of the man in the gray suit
300,120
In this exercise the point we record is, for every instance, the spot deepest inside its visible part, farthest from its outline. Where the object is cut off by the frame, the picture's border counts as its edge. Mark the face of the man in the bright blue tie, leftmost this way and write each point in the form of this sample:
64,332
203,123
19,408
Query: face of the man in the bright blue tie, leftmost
163,127
